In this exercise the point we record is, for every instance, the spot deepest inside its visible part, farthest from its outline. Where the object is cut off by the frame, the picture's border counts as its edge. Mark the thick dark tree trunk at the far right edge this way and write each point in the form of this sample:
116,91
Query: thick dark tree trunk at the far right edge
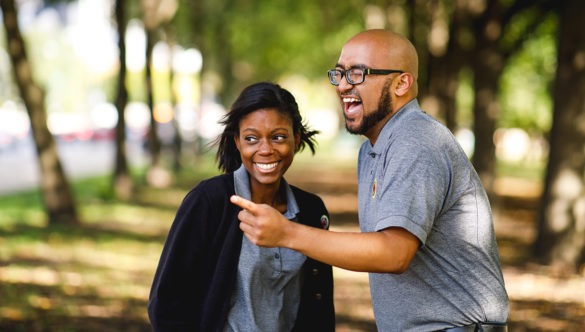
561,222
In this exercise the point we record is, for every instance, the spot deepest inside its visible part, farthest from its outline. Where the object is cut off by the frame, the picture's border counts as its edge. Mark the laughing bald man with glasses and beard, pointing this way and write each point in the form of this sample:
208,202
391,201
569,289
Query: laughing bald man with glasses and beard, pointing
427,234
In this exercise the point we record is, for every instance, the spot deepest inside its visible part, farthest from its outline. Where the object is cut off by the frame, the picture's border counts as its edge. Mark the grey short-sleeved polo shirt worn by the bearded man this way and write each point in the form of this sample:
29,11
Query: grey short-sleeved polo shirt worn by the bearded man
418,178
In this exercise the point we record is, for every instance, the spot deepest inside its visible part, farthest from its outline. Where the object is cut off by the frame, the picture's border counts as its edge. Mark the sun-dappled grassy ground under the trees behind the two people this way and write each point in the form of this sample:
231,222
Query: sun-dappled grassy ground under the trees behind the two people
96,277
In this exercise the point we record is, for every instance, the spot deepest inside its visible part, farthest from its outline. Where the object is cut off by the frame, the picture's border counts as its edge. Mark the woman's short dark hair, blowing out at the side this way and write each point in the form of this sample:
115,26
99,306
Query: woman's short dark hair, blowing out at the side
255,97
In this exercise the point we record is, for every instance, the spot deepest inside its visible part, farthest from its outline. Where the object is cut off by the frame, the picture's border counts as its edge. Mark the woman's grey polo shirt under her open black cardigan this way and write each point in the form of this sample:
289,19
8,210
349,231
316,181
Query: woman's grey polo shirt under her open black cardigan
268,284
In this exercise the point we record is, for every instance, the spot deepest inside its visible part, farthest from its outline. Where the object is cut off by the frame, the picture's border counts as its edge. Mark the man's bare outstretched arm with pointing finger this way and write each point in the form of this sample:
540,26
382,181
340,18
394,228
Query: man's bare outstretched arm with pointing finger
389,250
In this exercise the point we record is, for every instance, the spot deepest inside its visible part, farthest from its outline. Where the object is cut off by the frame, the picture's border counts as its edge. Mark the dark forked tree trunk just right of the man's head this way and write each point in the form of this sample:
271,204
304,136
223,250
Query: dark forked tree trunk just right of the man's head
488,60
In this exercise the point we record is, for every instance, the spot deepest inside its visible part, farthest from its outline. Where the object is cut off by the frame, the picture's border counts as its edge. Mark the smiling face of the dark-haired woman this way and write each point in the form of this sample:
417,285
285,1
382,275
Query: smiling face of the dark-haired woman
267,145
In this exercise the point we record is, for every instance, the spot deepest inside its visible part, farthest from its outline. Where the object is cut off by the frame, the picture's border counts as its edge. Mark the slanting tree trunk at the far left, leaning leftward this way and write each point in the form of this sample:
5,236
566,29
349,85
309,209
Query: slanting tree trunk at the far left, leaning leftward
57,195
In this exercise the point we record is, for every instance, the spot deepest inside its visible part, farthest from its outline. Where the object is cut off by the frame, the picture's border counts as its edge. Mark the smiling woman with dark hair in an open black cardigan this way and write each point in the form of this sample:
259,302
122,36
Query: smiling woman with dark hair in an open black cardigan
210,277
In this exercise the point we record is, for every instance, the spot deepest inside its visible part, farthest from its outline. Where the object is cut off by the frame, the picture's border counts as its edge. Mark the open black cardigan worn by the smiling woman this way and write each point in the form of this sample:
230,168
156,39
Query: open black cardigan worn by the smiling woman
196,275
